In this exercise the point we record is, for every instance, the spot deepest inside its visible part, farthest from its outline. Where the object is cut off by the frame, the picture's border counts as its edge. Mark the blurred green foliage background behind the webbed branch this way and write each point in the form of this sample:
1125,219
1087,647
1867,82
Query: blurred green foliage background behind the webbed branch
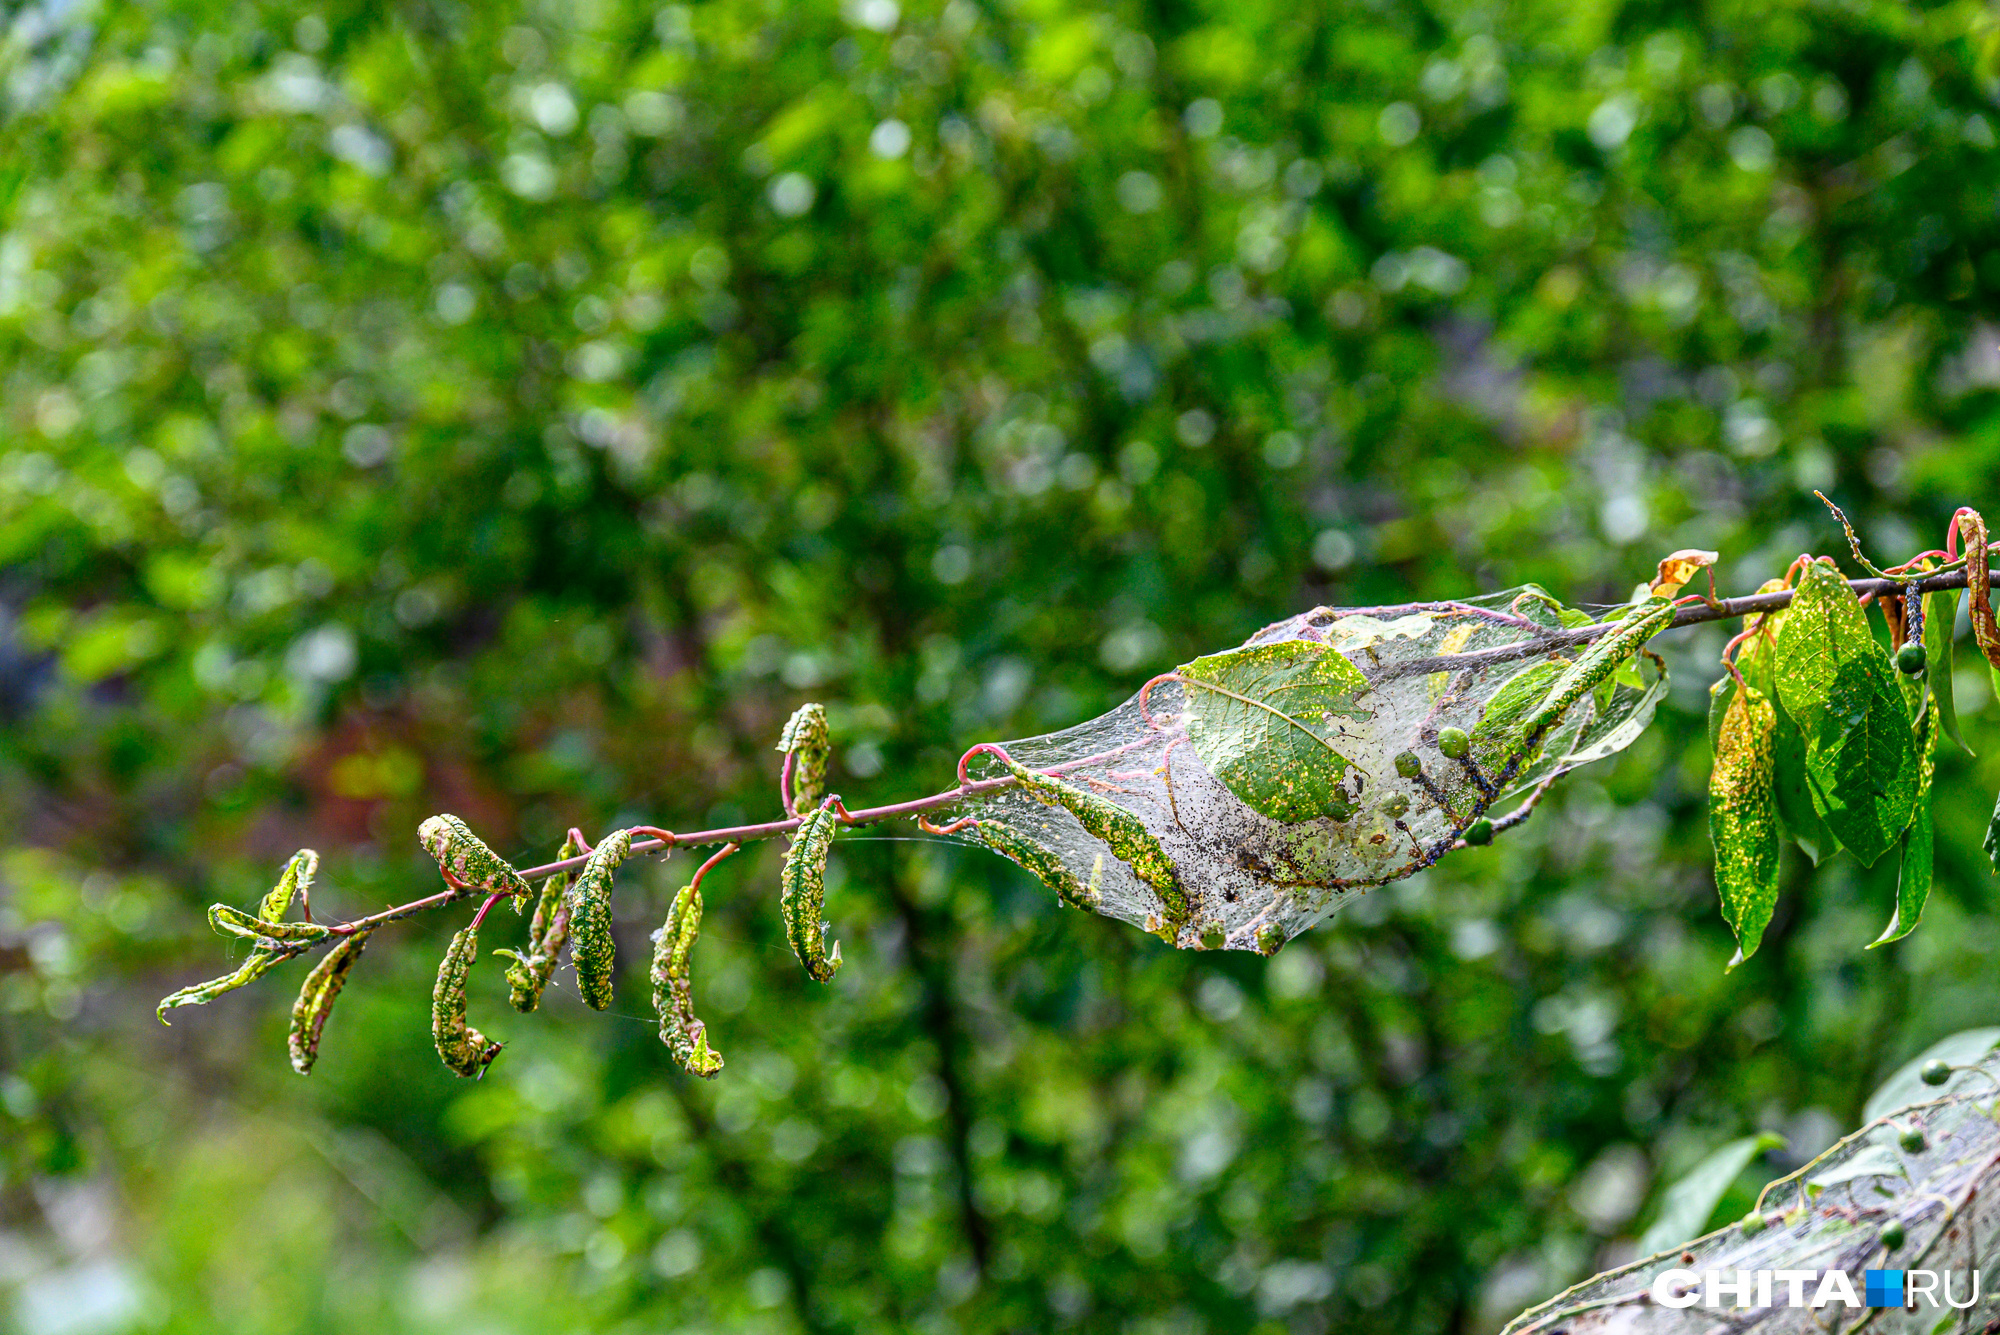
519,409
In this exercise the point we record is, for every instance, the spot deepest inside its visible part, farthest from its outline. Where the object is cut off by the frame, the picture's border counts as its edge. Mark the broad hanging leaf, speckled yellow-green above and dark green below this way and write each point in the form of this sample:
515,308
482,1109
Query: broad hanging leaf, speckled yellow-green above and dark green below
1839,684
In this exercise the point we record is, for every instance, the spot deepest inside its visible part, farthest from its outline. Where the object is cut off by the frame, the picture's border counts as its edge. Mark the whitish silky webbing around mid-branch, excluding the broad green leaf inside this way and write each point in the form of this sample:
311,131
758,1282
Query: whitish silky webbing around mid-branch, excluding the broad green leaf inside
1255,882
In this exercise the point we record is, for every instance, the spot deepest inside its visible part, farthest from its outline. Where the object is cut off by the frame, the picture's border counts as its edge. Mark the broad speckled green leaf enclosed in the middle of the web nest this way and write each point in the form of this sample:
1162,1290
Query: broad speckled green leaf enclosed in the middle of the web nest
1267,722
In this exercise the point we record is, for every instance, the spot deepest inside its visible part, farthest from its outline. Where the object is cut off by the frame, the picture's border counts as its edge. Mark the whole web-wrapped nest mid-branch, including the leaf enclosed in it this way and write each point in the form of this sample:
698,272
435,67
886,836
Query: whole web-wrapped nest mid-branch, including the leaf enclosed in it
1347,816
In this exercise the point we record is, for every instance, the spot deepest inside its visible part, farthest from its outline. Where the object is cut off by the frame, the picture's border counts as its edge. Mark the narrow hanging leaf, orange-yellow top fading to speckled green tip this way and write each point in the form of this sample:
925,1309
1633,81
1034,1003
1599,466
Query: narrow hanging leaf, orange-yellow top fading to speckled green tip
1743,818
